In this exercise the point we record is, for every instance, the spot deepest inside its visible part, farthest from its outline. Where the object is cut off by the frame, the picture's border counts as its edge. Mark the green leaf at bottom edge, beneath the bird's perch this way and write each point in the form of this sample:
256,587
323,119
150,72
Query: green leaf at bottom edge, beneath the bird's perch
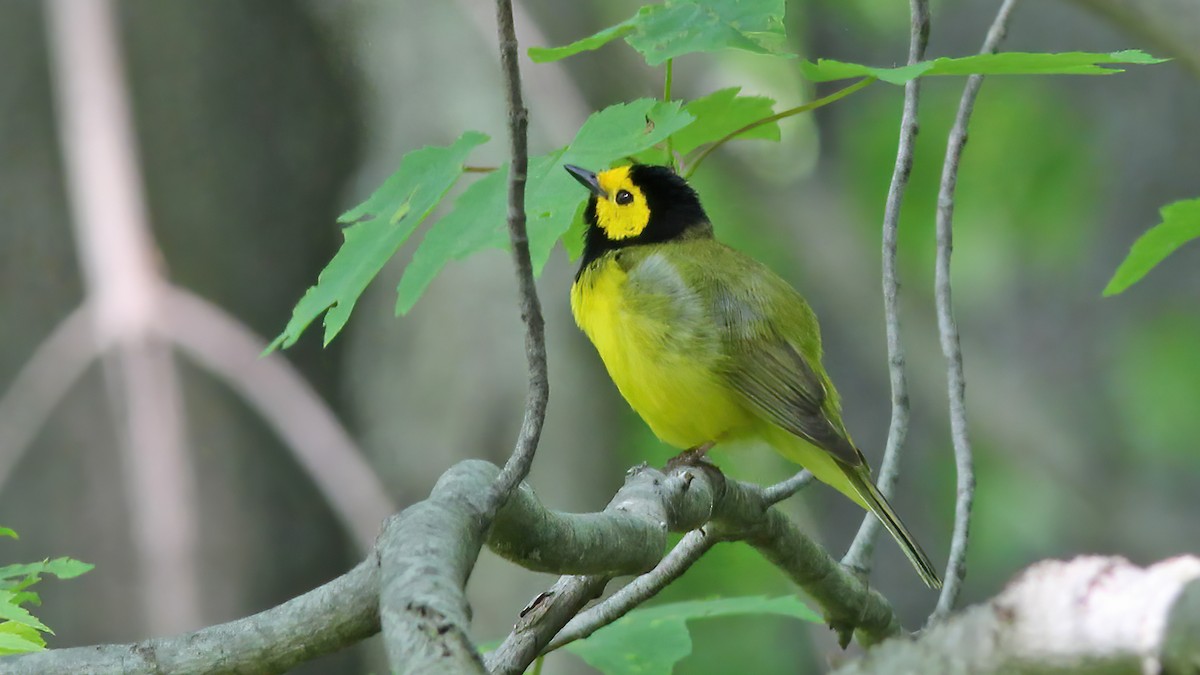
653,641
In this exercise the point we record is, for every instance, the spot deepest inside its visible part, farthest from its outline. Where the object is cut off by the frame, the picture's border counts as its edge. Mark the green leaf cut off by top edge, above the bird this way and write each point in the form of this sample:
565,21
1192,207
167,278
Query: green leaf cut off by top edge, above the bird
685,27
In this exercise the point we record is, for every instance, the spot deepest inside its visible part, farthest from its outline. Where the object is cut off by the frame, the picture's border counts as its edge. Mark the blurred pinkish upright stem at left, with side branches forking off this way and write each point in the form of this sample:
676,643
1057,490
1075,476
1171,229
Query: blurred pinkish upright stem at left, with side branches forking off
117,254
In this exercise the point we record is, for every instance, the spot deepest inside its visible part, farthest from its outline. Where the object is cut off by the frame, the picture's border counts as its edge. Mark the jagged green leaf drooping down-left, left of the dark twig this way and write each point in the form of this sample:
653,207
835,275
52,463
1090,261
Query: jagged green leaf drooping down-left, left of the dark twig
376,231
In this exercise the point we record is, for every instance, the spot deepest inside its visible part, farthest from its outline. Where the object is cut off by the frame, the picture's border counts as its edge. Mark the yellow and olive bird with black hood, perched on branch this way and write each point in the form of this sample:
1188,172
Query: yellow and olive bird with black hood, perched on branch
707,344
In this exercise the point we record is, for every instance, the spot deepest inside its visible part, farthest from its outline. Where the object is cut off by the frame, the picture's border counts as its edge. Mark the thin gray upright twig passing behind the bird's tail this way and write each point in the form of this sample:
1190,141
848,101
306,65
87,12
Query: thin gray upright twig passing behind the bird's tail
859,558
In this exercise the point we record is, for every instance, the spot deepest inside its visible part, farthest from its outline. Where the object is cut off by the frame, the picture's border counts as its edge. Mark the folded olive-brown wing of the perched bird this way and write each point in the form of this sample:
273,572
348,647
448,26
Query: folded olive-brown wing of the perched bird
772,342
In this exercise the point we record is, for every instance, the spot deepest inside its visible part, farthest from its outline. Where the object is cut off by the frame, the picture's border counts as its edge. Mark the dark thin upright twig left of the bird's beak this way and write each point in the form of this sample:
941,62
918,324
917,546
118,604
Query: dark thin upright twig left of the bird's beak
519,464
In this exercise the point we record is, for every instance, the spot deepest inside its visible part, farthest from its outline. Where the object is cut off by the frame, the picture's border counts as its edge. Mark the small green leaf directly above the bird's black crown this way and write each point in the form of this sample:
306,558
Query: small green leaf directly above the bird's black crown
722,114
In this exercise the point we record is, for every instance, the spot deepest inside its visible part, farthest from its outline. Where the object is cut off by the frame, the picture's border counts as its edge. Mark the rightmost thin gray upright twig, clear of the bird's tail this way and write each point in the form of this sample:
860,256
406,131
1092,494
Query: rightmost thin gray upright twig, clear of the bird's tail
956,569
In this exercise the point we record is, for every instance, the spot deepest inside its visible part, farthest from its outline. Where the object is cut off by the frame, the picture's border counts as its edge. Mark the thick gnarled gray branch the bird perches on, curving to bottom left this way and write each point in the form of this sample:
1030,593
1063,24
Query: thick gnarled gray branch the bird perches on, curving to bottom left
412,584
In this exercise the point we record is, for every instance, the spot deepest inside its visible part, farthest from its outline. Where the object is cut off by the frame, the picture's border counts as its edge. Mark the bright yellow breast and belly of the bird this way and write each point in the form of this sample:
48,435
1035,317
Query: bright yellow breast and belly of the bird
661,349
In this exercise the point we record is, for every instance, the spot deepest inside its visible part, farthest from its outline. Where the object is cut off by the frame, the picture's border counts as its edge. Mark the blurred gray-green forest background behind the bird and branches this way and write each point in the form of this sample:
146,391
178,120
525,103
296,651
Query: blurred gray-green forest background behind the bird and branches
260,123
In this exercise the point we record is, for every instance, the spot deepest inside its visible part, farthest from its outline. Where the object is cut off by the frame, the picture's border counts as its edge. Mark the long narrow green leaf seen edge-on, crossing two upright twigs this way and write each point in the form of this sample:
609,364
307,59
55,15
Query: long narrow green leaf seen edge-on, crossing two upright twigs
1006,63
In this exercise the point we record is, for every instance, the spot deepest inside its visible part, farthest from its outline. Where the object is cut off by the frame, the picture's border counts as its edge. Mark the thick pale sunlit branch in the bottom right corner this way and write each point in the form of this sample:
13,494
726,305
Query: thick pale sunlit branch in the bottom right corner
1088,616
